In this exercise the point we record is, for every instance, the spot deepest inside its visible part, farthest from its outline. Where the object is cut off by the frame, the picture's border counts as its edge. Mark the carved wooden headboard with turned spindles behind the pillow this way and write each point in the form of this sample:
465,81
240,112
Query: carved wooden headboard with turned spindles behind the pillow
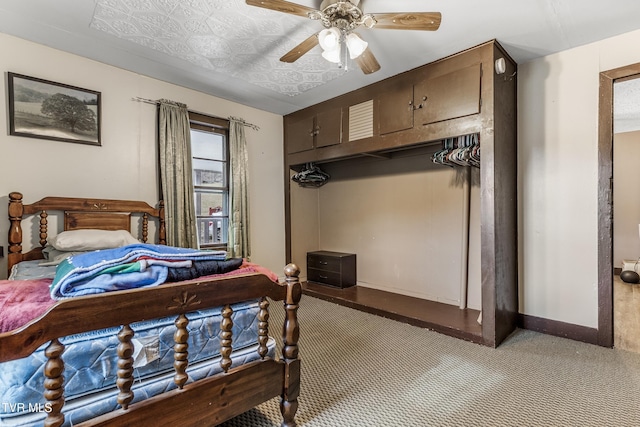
78,213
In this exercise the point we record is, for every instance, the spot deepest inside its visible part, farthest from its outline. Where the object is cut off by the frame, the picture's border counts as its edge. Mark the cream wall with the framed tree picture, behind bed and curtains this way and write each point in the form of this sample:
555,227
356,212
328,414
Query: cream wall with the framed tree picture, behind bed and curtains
124,166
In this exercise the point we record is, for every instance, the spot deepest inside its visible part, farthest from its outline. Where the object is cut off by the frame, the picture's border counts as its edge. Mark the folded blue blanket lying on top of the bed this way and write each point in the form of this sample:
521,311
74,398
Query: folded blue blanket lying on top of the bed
128,267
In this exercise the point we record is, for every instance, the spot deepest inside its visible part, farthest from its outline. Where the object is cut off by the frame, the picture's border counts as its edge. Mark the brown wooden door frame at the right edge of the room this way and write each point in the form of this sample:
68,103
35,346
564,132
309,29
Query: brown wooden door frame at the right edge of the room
605,200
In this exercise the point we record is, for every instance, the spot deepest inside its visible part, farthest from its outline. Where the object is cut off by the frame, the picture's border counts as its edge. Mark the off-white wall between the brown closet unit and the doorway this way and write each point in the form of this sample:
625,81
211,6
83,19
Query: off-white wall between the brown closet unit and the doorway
558,172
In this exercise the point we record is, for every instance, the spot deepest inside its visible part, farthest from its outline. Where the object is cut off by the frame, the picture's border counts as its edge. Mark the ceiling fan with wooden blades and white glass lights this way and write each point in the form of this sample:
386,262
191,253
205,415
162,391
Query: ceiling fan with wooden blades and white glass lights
341,18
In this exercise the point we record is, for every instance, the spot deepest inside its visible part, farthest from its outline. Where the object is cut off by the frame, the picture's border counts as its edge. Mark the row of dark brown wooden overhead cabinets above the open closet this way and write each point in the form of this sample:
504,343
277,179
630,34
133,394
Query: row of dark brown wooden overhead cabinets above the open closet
444,99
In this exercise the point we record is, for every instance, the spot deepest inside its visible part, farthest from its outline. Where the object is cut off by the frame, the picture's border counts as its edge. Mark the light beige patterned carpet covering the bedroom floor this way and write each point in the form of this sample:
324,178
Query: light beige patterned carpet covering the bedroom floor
363,370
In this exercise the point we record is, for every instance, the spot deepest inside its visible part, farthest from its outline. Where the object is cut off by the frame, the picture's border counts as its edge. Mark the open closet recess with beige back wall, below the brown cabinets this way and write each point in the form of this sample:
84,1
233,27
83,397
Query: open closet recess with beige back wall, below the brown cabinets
412,216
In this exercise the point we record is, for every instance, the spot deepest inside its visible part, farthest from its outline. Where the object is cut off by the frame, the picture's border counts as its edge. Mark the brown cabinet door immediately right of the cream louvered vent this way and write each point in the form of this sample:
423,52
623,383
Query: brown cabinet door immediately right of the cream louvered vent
395,110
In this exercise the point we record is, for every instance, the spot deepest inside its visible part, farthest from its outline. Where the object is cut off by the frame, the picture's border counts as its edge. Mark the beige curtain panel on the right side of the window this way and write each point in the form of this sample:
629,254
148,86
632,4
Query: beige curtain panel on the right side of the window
239,244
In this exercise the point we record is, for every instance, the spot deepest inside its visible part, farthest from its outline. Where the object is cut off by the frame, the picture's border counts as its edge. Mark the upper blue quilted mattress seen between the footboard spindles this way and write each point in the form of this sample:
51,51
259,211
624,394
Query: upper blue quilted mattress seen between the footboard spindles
91,358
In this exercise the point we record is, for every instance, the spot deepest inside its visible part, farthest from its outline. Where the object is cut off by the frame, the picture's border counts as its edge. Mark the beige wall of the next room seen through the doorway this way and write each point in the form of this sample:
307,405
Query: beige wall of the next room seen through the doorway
626,197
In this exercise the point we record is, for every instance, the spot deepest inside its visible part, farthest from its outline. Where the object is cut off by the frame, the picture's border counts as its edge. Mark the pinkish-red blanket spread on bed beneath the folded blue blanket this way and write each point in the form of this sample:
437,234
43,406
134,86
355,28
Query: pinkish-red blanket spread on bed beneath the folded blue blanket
24,300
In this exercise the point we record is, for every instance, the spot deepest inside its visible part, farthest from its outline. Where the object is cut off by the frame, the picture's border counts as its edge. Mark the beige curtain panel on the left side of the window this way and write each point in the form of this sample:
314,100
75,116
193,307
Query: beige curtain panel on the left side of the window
175,170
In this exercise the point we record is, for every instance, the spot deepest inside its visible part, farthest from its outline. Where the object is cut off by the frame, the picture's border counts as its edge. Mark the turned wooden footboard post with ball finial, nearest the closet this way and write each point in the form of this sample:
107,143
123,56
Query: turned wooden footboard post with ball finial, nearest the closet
290,335
